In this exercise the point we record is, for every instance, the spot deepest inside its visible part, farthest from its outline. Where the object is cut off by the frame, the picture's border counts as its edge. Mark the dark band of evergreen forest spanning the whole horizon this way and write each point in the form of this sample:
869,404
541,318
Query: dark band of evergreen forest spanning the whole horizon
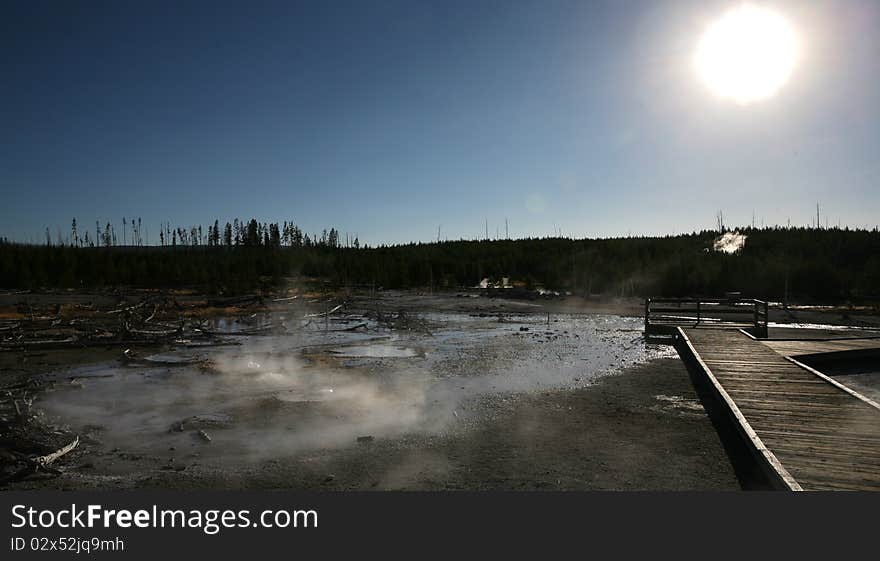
831,265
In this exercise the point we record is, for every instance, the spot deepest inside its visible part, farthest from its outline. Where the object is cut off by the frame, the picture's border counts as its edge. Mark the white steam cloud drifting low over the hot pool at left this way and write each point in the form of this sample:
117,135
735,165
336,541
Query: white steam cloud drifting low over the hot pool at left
276,404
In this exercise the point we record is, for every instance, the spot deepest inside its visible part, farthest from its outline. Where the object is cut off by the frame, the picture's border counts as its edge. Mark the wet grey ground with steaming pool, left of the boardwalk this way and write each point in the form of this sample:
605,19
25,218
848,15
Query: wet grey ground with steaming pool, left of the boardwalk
398,391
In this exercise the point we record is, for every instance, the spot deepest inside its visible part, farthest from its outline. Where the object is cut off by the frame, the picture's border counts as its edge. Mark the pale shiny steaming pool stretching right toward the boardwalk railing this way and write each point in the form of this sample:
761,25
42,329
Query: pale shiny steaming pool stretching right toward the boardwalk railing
279,396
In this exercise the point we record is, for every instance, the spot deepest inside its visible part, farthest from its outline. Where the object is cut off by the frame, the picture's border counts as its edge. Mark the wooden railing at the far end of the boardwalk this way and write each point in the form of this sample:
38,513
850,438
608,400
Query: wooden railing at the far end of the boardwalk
664,314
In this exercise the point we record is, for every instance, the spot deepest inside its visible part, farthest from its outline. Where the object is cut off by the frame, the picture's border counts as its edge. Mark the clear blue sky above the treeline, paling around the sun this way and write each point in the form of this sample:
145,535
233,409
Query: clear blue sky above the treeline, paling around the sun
389,119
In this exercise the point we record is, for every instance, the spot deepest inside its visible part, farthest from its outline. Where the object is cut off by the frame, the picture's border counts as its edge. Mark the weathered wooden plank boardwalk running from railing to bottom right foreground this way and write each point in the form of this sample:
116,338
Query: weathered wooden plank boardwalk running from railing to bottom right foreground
807,431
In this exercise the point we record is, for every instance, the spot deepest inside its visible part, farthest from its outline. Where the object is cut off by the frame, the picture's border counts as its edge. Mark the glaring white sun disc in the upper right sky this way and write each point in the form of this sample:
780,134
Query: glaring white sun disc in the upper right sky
747,55
